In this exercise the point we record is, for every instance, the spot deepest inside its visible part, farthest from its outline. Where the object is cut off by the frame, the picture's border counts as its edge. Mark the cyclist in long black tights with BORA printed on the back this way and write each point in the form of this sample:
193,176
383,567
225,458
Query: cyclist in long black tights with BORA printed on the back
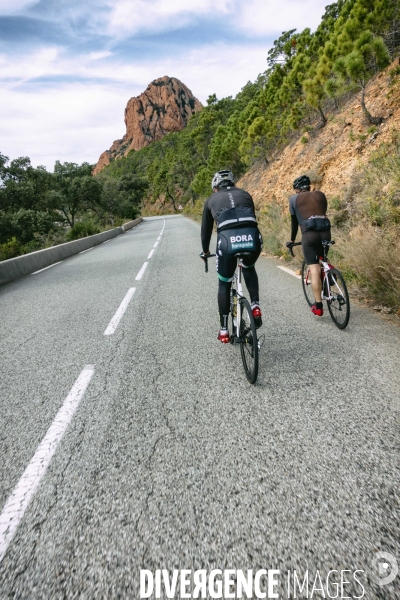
233,210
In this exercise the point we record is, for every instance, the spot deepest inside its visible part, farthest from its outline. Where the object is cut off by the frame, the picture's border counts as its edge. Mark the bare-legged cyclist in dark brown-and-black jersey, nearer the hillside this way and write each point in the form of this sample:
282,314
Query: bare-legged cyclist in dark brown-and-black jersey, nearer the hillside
308,209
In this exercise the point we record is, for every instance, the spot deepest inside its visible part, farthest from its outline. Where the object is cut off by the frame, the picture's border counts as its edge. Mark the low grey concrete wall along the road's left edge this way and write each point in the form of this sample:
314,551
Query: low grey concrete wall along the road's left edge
14,268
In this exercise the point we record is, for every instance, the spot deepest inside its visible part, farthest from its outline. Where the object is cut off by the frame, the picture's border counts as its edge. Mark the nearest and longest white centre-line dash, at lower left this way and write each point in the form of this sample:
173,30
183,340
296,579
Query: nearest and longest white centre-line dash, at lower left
18,502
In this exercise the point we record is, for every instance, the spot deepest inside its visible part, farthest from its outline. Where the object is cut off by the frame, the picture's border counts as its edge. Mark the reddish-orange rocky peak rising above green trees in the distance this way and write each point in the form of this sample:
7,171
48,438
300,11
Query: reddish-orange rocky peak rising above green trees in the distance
165,106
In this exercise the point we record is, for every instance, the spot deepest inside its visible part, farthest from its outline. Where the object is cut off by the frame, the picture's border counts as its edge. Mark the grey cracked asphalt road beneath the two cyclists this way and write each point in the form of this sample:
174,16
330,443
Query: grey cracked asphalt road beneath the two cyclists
172,460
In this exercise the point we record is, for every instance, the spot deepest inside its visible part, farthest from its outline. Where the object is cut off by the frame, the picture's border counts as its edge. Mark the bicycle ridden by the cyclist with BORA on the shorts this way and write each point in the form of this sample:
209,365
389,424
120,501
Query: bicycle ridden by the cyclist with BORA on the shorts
242,327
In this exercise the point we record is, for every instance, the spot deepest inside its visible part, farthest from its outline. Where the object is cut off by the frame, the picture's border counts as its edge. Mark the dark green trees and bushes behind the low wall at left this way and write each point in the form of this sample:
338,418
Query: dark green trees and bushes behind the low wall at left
39,209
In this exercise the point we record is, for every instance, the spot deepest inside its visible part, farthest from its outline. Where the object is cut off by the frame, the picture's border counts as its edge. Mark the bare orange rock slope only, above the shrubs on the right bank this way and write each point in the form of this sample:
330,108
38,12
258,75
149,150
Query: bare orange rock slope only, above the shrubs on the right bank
331,155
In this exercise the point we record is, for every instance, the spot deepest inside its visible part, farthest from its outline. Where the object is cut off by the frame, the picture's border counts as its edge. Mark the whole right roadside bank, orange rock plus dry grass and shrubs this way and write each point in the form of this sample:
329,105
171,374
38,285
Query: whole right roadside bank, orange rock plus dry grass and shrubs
357,165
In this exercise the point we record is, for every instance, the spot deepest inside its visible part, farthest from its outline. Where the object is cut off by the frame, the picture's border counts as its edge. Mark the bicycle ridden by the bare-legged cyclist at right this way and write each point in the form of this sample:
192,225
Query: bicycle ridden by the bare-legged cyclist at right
334,289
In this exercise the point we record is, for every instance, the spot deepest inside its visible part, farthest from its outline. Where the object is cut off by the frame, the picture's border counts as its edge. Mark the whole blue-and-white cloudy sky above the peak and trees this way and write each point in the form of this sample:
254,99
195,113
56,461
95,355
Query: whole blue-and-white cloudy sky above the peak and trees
68,67
